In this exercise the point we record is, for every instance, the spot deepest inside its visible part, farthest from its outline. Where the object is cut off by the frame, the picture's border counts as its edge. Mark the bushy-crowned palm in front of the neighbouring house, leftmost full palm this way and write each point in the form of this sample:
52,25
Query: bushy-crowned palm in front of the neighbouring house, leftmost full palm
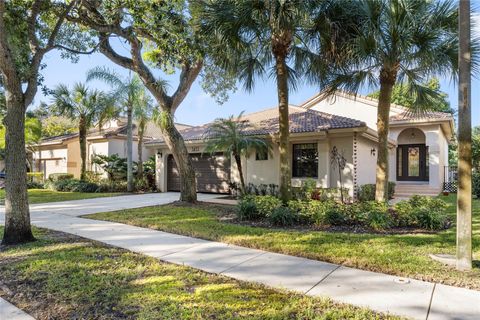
88,107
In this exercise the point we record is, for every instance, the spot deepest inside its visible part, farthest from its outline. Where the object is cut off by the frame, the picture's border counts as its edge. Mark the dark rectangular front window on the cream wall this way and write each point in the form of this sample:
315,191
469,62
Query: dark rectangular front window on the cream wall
305,160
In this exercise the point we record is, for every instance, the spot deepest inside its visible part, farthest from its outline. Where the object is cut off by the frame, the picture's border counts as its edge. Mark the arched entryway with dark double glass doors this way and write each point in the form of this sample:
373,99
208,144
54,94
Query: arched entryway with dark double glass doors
412,156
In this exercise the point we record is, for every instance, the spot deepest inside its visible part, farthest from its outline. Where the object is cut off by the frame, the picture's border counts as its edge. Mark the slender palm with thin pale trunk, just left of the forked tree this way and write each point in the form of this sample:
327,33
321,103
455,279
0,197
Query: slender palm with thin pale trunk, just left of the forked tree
130,93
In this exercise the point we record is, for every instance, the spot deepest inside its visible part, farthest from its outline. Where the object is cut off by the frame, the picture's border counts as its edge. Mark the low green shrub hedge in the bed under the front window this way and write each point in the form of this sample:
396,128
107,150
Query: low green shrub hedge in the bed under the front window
418,212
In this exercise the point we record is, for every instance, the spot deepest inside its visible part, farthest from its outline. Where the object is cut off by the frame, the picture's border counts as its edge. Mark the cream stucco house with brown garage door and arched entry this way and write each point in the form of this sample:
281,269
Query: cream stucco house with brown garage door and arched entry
418,148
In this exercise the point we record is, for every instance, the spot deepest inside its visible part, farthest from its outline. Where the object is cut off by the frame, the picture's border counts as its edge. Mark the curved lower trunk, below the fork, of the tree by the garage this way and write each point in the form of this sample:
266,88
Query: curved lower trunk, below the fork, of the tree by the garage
176,144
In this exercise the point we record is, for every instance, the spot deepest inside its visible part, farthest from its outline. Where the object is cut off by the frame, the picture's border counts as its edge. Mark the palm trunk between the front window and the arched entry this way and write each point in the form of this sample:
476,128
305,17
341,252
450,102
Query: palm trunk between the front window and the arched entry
387,80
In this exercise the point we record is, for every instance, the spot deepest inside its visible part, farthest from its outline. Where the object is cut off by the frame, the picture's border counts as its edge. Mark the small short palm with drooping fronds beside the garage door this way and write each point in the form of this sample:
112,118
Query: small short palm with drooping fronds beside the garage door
230,135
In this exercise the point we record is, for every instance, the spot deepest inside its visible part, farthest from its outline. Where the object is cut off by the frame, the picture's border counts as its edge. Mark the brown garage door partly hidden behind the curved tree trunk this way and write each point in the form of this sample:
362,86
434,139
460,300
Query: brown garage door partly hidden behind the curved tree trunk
212,171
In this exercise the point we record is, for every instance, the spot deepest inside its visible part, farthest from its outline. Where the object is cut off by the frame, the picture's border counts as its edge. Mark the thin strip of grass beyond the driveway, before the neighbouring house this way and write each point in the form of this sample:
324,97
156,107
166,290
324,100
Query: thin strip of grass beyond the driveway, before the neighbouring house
44,195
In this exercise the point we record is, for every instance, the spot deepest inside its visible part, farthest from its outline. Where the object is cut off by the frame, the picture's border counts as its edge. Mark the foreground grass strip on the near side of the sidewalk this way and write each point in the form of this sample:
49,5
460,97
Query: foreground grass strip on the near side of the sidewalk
66,277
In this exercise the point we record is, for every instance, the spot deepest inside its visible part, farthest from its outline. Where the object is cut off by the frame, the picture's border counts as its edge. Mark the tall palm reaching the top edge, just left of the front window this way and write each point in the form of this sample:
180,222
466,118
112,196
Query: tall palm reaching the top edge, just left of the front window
276,38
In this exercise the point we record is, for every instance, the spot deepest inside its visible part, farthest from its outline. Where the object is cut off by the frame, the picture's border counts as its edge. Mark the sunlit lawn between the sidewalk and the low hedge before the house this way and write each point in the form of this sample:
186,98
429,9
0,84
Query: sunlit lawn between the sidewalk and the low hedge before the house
403,254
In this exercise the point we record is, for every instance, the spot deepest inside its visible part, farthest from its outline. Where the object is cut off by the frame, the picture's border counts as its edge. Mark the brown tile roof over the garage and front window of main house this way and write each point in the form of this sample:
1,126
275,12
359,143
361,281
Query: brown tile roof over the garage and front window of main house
300,122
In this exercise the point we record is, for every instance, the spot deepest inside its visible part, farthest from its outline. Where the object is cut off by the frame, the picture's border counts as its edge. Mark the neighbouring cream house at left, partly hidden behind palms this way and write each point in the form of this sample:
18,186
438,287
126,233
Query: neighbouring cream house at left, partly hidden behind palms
61,154
